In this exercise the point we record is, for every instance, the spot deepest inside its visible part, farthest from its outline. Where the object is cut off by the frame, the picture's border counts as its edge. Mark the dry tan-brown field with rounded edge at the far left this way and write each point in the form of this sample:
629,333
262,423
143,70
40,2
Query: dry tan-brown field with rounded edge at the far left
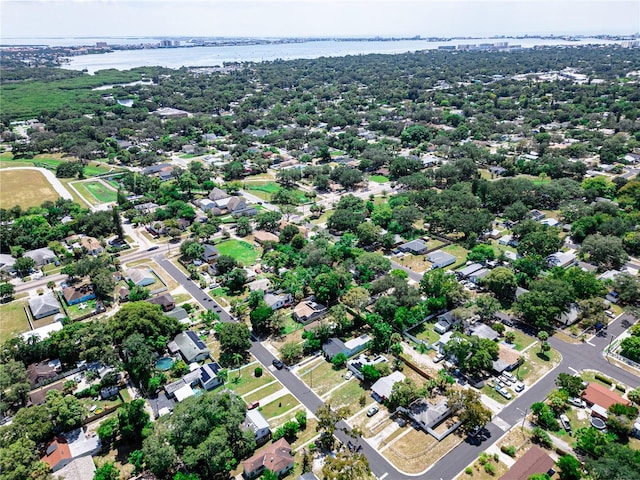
14,191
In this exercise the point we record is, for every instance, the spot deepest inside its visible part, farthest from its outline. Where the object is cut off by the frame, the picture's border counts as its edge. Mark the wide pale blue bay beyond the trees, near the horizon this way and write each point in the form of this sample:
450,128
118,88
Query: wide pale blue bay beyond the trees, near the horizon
217,56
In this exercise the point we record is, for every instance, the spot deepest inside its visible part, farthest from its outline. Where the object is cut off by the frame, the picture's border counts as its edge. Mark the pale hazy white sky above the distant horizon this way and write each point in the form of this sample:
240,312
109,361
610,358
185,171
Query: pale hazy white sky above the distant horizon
68,18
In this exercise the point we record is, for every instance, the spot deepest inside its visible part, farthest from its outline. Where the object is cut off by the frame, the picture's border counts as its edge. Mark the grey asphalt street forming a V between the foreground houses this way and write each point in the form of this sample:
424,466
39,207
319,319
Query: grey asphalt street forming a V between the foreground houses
578,357
